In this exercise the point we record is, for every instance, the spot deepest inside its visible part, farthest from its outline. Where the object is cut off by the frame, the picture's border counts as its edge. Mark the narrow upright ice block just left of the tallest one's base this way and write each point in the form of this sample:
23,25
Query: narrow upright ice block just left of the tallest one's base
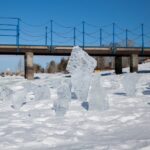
61,101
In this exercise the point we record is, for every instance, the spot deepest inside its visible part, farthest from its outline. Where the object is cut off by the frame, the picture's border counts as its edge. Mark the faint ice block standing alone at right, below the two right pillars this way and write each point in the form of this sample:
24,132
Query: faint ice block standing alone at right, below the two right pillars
129,83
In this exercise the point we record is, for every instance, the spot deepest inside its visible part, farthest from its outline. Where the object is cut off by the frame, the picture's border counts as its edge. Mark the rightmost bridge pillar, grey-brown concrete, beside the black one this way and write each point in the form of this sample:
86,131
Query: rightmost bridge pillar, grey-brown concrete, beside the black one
134,63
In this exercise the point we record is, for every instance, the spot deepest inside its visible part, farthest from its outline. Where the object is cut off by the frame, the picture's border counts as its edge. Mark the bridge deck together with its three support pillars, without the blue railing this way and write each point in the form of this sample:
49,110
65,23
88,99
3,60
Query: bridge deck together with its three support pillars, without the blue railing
118,53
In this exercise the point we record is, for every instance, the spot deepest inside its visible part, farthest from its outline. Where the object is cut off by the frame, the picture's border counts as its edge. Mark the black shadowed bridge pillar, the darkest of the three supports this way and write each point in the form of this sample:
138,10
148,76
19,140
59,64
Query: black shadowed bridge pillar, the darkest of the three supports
118,64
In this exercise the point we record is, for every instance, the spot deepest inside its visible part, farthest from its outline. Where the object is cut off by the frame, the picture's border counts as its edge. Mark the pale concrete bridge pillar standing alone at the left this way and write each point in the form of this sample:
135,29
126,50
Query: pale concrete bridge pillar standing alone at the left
29,71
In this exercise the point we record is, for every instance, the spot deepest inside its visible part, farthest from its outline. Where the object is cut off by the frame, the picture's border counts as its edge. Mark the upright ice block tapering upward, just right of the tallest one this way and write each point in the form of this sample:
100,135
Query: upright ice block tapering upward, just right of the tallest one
97,95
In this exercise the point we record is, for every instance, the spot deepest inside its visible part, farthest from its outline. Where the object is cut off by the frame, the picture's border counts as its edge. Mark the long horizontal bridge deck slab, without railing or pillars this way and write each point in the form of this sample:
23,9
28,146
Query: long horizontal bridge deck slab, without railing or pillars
66,50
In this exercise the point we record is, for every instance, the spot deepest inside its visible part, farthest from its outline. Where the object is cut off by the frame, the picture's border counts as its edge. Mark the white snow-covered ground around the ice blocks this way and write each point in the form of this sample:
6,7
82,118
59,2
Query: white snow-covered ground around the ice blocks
31,124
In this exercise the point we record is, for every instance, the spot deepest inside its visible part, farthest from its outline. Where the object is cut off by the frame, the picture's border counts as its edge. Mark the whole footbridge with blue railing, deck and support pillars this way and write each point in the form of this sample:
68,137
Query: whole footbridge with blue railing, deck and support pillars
109,40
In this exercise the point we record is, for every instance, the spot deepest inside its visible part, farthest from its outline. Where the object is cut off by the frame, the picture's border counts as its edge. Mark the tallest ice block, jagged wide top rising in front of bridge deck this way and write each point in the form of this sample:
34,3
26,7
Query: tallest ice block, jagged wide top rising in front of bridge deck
81,66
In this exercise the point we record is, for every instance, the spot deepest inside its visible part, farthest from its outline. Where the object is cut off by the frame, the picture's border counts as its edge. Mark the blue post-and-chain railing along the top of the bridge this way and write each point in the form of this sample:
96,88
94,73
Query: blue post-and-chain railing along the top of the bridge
84,34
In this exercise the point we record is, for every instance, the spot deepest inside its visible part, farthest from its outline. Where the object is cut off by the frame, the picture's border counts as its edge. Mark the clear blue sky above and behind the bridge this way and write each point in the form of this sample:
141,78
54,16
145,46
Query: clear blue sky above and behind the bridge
125,13
